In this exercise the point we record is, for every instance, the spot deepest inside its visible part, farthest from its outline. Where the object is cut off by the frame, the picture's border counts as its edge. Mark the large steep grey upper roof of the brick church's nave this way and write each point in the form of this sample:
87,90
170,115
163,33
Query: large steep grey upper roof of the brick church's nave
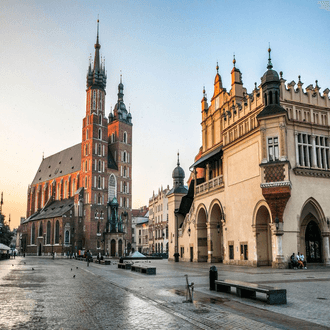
62,163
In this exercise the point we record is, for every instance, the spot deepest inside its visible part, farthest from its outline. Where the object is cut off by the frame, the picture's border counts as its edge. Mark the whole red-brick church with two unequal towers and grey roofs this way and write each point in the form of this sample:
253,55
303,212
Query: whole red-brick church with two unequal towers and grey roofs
81,197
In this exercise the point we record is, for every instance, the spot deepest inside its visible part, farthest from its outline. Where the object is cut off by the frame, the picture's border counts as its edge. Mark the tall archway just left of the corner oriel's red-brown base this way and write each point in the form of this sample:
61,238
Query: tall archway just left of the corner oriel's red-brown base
263,237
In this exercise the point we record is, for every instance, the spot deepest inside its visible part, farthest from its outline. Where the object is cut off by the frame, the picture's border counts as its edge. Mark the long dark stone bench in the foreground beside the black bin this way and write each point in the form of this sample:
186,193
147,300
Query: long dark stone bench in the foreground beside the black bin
275,296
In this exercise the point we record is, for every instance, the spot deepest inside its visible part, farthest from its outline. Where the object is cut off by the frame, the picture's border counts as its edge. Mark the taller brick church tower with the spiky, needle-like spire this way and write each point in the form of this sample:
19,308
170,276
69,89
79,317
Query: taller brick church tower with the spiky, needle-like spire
94,152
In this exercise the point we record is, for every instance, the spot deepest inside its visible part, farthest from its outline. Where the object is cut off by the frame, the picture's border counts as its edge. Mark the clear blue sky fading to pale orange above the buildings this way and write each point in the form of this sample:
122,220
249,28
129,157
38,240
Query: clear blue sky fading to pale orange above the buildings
166,50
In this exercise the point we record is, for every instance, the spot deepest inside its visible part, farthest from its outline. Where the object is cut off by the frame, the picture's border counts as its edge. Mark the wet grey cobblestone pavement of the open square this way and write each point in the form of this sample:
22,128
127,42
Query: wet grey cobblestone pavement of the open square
105,297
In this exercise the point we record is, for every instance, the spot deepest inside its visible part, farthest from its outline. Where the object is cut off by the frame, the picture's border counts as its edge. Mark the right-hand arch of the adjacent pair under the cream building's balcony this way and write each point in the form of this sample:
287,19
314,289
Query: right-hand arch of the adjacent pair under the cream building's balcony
216,234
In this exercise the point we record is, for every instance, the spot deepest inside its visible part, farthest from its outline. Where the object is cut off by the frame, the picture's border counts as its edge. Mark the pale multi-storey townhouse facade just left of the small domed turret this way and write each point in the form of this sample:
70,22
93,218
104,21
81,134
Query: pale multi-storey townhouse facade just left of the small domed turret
158,221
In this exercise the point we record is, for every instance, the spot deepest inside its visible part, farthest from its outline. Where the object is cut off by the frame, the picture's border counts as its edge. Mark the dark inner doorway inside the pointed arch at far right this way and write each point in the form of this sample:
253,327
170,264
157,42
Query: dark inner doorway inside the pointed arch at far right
313,242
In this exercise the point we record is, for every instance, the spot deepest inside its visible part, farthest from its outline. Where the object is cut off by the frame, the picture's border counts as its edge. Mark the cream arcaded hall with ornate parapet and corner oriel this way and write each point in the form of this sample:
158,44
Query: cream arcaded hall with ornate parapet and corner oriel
260,183
